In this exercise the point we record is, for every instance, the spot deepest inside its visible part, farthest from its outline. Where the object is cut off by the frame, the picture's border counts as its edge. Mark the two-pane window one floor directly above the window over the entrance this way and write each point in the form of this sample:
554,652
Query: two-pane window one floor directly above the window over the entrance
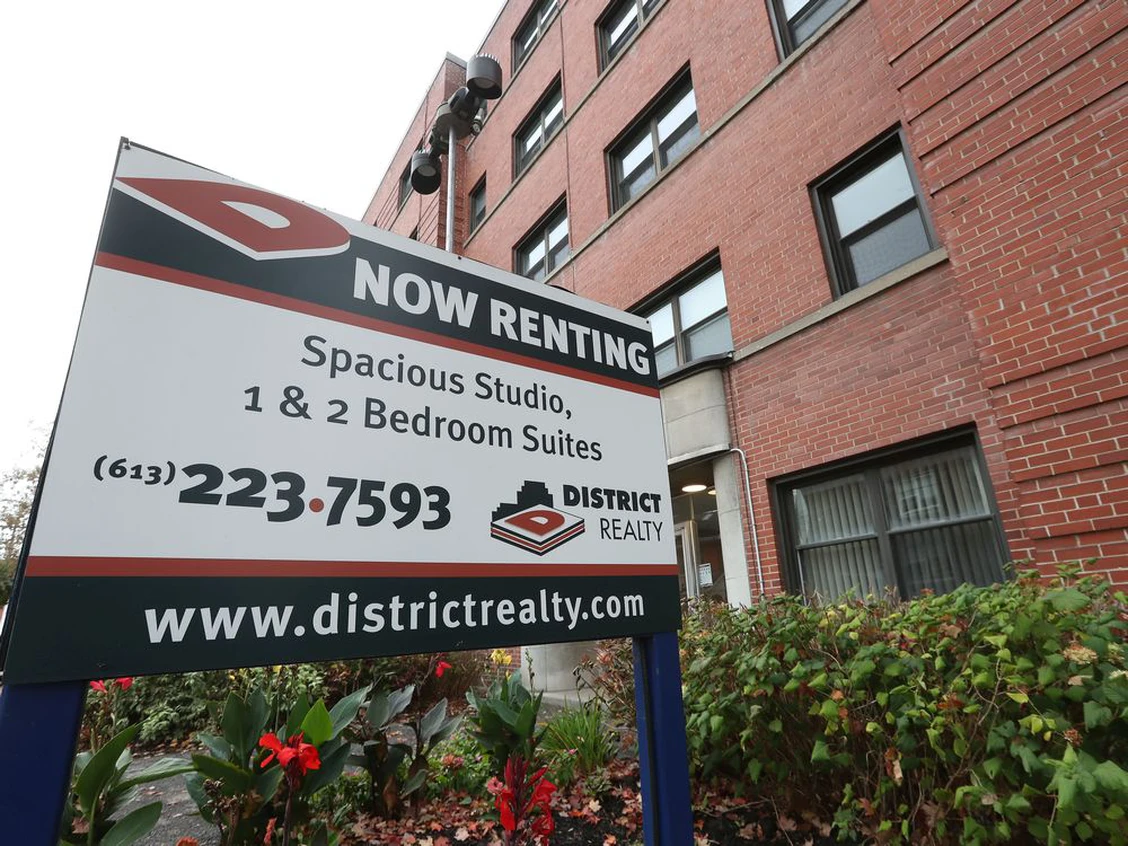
659,139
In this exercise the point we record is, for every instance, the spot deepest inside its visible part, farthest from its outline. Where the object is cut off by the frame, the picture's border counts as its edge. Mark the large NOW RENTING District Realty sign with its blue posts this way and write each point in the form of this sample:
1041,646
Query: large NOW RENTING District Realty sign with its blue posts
290,437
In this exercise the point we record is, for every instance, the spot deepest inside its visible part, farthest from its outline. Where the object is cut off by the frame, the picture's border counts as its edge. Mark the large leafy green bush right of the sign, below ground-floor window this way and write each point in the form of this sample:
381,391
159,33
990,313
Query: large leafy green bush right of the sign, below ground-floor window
983,716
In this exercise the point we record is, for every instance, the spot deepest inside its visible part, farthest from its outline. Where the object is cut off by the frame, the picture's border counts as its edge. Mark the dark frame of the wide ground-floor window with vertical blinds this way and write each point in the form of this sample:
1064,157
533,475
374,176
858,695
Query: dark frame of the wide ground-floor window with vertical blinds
871,464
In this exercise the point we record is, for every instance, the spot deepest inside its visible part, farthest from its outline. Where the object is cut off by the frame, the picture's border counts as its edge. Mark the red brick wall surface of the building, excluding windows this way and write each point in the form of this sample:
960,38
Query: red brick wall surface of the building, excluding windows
1015,114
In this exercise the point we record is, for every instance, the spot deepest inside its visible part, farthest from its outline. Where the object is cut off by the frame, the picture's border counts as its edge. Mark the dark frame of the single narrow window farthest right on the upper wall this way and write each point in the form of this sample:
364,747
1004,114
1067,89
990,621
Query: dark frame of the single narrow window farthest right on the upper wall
840,267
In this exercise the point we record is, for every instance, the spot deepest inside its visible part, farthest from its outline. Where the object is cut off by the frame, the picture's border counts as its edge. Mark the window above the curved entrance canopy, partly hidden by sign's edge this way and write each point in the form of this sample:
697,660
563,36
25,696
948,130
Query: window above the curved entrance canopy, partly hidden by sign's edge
692,324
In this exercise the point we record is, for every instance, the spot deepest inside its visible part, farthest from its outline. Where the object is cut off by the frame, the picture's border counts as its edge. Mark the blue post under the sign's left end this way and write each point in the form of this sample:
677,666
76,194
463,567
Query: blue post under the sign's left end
39,732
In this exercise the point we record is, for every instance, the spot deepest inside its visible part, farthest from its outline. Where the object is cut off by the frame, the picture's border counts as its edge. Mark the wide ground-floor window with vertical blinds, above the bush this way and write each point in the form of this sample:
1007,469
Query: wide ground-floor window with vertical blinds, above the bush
906,522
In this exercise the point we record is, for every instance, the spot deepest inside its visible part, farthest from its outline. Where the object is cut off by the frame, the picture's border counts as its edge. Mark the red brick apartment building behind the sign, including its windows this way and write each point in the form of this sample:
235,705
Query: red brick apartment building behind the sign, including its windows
883,245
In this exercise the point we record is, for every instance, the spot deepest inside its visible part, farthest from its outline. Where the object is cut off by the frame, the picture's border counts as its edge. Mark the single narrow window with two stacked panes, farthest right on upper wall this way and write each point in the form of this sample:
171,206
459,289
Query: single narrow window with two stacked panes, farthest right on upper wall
873,216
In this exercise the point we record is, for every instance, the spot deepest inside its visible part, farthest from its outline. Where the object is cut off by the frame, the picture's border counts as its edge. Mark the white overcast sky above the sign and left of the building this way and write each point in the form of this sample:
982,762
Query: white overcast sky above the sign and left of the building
309,100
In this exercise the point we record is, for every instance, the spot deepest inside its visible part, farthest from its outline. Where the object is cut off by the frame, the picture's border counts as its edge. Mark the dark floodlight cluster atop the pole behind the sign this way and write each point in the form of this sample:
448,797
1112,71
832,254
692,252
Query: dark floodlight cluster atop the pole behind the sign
462,116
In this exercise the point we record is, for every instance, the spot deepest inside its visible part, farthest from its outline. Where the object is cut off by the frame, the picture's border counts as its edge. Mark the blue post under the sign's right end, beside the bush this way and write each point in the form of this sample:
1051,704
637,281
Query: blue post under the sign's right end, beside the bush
664,757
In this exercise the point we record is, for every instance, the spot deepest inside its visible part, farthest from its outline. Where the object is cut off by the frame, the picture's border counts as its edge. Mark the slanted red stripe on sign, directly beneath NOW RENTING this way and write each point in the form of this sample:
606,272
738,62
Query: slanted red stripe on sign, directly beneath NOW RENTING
292,304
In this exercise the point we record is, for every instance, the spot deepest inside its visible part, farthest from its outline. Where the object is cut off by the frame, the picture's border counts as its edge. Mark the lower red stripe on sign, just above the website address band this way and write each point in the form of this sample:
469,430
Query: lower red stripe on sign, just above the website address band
80,567
